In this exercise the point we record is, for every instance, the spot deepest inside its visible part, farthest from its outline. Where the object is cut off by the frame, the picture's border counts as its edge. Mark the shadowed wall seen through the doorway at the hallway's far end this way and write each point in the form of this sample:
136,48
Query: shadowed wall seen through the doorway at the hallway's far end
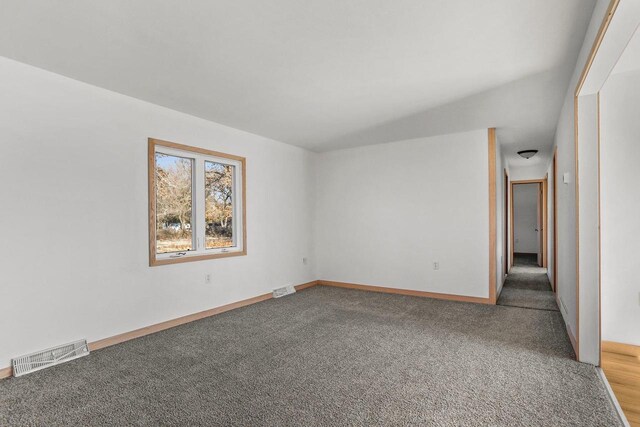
525,218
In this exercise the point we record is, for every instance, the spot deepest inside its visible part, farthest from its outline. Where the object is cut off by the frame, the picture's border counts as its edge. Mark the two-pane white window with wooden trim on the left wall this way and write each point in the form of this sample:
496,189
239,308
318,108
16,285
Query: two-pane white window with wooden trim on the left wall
196,204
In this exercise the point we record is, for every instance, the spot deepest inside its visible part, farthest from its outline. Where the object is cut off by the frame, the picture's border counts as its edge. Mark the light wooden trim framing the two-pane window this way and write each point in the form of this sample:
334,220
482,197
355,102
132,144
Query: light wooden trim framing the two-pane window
153,260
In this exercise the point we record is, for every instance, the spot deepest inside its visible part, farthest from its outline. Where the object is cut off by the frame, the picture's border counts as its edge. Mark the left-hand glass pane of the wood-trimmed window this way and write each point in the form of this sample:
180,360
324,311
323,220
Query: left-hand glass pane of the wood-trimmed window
174,184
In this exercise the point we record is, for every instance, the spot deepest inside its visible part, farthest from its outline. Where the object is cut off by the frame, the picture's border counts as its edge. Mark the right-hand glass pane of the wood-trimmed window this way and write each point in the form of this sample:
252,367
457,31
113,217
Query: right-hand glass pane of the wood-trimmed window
218,204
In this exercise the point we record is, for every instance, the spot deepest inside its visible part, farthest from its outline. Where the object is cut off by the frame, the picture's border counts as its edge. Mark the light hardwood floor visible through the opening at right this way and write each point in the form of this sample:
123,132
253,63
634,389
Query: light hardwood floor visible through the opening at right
621,365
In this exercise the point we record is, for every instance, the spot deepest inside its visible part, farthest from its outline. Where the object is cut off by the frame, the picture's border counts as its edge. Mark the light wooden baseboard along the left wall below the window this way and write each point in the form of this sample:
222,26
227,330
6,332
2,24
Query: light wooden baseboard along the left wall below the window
120,338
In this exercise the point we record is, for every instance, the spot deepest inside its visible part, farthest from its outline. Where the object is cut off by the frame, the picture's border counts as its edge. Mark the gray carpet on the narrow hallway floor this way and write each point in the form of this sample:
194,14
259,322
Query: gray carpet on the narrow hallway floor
528,286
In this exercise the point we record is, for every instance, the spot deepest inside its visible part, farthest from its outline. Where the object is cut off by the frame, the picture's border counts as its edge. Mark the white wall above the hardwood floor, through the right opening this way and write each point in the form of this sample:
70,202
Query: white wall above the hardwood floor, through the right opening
620,208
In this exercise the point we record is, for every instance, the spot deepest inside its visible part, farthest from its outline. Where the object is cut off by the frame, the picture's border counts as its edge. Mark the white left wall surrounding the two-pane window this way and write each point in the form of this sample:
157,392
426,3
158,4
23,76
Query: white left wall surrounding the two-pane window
74,260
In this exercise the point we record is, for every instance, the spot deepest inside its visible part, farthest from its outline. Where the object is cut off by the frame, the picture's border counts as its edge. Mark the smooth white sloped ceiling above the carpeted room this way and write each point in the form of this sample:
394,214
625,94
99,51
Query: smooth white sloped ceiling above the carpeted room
321,74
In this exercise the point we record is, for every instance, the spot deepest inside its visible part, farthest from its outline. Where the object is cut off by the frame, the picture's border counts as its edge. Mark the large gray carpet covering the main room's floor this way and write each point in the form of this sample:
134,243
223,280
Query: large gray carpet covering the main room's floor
327,357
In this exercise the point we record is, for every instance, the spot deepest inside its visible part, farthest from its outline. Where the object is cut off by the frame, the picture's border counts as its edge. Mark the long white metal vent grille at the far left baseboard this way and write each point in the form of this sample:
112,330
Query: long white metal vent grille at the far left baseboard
50,357
